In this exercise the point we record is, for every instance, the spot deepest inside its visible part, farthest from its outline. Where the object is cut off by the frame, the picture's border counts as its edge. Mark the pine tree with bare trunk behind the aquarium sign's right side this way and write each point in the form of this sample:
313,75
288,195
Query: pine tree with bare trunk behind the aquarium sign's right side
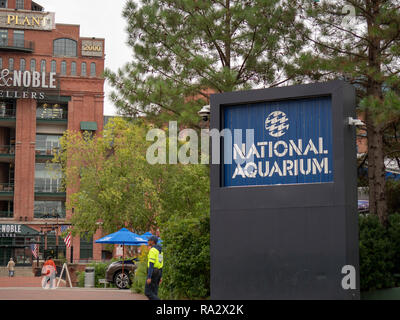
359,41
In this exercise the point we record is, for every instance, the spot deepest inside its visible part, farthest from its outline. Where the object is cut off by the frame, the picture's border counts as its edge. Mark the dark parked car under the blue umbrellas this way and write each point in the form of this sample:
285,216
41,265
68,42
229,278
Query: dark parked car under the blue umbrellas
121,279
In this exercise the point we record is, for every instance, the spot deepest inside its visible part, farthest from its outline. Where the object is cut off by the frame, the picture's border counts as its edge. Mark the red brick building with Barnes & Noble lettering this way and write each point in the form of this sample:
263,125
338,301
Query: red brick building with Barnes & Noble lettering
50,81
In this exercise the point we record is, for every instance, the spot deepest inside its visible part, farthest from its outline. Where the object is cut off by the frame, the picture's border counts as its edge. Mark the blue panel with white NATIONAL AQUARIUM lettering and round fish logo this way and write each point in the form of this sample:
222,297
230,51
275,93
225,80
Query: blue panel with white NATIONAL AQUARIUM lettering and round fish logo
277,143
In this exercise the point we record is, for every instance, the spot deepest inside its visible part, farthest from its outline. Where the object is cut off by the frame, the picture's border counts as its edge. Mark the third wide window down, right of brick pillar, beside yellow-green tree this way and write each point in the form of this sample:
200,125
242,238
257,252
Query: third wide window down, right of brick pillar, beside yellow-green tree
48,178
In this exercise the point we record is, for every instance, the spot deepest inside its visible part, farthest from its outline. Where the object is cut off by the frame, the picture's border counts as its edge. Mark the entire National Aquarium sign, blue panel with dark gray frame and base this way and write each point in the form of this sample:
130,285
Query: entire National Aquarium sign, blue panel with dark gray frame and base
283,202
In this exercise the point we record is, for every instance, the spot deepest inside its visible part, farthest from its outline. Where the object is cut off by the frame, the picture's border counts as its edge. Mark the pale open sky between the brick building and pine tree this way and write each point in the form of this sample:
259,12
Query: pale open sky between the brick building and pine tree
100,19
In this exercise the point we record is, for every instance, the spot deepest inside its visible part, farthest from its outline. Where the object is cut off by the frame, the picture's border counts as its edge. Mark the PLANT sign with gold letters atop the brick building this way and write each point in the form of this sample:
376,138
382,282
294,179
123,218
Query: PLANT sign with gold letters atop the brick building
27,20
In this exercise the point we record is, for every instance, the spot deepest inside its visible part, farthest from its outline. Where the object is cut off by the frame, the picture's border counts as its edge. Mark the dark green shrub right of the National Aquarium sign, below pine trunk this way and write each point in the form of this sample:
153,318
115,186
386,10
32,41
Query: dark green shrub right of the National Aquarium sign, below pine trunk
376,254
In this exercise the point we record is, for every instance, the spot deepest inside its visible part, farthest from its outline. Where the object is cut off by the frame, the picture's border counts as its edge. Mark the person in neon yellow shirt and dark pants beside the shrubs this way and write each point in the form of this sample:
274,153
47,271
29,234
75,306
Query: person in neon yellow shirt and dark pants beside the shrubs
154,273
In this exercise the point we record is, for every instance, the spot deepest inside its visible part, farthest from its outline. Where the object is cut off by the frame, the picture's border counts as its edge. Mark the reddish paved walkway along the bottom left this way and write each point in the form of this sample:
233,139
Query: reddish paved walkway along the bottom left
29,288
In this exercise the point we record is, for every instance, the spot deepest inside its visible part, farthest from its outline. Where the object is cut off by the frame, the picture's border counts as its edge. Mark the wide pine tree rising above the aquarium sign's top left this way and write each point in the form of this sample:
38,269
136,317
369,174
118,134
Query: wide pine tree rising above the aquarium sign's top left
185,49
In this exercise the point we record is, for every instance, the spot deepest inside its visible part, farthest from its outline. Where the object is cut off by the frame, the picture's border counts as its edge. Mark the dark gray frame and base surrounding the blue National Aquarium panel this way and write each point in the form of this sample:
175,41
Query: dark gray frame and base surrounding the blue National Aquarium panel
287,241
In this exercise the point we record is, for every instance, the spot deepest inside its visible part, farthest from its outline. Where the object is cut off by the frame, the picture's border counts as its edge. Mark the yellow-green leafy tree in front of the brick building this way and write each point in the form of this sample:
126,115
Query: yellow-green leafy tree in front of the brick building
112,181
